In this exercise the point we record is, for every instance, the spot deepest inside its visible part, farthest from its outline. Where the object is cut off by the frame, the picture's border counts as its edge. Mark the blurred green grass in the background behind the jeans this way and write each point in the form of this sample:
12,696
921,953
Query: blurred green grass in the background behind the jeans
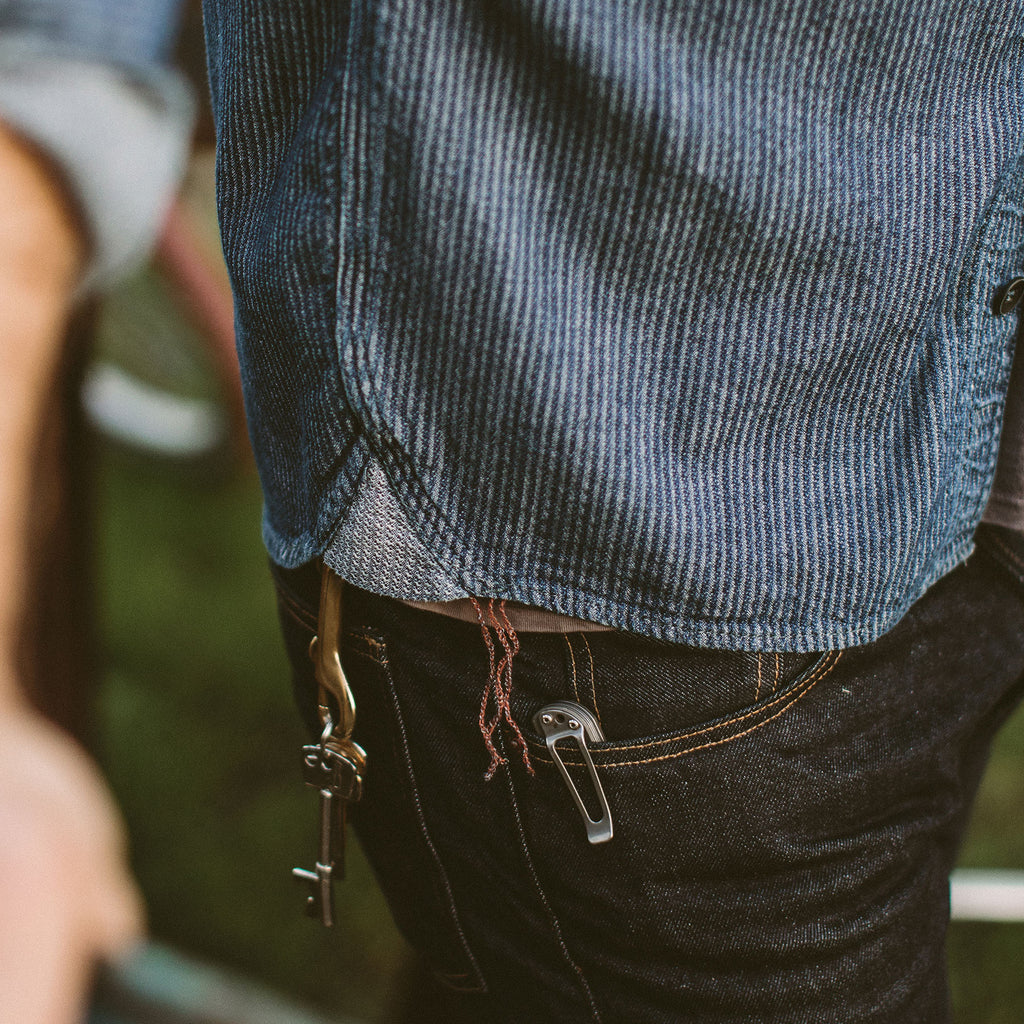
200,739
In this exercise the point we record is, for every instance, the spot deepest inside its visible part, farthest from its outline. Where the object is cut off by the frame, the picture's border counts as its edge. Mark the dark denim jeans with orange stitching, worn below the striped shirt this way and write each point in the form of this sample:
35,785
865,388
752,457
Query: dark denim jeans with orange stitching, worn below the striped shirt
784,826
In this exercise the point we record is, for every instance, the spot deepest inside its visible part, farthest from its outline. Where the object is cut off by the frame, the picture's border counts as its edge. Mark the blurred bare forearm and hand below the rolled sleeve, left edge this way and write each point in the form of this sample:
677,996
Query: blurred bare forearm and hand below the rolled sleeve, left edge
65,897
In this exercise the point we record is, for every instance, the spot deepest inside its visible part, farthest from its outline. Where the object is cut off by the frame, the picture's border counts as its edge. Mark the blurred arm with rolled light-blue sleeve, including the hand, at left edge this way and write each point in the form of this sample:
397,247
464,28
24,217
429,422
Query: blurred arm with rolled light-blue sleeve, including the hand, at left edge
93,138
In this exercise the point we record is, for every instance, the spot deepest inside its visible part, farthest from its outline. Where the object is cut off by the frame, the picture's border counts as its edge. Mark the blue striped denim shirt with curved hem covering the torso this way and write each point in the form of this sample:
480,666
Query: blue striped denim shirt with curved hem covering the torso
681,317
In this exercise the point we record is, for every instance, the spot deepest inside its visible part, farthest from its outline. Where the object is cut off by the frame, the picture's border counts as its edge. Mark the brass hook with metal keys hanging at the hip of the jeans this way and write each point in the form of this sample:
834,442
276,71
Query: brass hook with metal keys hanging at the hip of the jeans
335,765
